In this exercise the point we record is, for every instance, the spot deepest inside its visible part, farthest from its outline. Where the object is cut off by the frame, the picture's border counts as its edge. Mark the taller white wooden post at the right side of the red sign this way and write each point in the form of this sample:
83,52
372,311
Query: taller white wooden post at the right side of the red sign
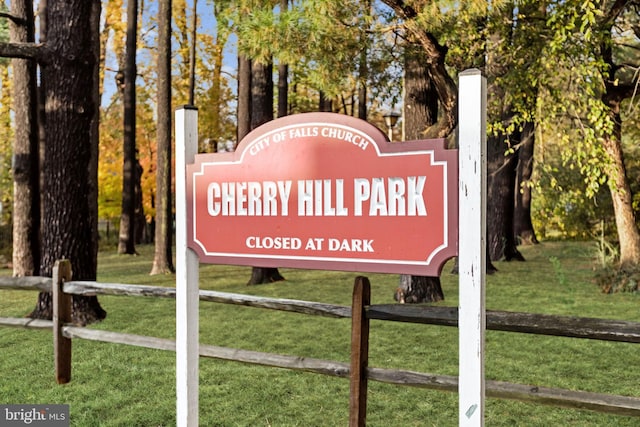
471,245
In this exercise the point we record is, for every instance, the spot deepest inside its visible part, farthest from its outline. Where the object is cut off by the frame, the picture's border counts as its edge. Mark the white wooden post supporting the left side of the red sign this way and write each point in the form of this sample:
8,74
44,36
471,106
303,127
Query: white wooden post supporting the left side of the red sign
187,277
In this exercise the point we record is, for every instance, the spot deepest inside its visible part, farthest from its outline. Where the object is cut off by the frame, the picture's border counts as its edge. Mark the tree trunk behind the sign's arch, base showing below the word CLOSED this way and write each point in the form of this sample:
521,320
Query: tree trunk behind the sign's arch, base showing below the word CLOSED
262,112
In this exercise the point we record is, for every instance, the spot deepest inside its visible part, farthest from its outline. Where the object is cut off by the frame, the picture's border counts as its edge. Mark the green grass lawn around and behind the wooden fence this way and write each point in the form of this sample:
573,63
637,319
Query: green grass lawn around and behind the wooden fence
116,385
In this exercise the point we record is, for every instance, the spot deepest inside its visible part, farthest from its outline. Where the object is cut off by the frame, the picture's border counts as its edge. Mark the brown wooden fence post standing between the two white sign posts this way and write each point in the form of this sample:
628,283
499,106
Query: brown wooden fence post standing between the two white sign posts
359,352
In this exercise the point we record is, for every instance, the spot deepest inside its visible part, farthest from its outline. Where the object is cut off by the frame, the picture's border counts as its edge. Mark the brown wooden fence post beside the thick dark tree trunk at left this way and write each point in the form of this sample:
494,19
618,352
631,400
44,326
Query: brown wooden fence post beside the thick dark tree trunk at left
61,315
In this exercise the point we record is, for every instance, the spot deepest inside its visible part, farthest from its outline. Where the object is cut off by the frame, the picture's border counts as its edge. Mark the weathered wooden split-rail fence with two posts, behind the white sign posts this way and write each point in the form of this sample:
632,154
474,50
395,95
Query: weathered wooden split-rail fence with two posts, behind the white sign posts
361,312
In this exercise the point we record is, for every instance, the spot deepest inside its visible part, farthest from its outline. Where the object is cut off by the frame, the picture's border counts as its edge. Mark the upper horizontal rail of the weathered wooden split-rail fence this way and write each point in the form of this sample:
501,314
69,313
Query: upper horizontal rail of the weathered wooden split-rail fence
532,323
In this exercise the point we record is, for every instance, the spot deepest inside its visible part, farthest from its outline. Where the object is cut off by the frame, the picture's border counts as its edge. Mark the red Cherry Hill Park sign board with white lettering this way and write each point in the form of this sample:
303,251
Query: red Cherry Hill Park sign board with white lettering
325,191
